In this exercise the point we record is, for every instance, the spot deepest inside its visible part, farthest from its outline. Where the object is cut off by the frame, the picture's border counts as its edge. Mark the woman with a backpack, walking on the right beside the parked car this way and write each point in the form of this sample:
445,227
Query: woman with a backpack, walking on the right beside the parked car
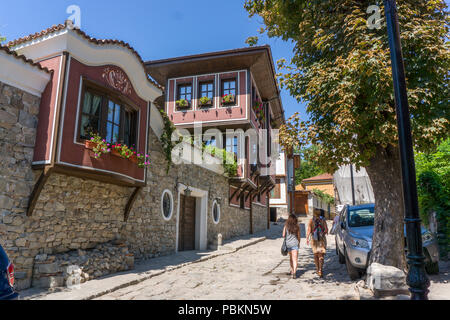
317,230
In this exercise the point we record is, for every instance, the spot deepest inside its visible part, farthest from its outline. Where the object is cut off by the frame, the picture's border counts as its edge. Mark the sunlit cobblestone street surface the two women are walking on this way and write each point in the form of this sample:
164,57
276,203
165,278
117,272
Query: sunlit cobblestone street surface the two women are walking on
257,272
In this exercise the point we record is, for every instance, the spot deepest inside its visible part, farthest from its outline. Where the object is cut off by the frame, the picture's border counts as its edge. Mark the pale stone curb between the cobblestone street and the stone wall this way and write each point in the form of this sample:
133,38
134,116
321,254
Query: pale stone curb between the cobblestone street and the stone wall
150,274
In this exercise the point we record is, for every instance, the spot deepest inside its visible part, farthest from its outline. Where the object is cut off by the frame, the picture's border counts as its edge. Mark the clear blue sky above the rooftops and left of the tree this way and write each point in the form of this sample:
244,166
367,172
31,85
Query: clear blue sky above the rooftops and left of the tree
156,29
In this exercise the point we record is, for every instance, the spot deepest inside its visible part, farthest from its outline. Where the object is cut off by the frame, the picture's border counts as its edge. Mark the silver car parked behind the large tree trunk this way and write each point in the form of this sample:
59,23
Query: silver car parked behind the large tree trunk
354,241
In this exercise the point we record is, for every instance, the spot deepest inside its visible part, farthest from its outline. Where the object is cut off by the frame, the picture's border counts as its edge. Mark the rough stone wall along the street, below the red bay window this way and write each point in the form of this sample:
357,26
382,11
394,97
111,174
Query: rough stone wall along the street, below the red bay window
80,214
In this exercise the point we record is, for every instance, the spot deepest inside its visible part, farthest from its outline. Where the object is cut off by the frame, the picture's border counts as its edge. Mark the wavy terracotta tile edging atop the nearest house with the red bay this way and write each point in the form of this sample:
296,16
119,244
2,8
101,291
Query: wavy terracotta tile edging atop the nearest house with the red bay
68,23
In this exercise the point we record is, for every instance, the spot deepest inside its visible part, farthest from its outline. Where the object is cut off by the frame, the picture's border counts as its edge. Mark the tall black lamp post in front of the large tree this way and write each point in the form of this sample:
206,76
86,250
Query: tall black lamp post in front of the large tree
417,279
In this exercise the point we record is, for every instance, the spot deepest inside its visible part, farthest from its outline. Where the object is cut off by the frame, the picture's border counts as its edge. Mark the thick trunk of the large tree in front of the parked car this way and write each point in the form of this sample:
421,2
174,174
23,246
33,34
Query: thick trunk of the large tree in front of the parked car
388,238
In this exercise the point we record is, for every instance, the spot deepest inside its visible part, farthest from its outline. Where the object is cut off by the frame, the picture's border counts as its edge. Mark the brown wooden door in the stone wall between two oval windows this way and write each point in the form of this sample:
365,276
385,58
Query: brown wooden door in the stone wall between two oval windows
186,235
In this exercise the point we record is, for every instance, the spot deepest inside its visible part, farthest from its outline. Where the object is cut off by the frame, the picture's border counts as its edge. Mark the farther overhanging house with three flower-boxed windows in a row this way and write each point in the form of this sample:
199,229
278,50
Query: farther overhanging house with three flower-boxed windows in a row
235,93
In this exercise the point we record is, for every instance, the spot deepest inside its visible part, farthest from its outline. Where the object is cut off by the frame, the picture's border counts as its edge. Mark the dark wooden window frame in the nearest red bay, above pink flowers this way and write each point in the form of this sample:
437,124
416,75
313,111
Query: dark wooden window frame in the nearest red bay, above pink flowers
109,95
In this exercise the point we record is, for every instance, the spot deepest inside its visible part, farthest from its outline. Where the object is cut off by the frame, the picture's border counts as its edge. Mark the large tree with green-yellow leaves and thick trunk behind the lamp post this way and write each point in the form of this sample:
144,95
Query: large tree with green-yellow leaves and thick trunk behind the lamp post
342,69
